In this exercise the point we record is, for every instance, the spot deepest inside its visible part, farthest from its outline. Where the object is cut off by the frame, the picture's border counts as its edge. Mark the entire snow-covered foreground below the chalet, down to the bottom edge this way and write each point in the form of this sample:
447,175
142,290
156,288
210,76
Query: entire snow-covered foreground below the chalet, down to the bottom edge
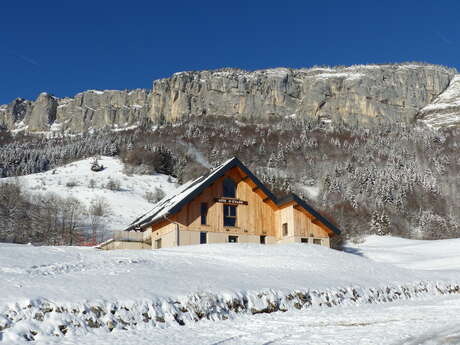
237,292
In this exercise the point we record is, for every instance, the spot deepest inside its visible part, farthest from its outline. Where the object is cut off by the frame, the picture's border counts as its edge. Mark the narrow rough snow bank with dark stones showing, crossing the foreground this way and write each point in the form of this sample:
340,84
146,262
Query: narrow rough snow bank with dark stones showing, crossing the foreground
43,318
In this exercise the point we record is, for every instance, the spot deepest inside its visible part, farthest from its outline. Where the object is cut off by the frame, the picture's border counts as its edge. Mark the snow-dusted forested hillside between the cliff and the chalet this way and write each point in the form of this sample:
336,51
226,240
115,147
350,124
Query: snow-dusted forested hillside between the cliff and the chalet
376,177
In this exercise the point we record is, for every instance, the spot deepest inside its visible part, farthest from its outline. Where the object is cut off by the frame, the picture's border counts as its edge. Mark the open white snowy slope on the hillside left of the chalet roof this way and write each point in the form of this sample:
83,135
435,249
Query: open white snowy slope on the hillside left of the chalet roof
77,180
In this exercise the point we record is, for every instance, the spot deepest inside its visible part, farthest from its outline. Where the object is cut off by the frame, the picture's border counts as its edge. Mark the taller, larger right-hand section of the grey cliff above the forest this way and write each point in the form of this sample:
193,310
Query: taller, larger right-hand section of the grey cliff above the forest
393,91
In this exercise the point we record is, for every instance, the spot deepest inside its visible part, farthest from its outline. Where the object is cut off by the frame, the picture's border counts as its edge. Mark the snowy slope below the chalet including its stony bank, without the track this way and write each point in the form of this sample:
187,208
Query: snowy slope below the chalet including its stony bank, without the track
72,291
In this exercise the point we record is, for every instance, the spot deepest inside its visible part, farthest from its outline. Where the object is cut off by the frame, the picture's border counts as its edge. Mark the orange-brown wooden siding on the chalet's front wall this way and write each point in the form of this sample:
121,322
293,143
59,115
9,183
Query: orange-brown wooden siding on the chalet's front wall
260,216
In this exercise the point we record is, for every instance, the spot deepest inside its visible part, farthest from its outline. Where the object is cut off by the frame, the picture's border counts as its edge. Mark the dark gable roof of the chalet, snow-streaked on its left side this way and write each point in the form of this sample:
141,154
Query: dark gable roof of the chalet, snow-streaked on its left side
174,201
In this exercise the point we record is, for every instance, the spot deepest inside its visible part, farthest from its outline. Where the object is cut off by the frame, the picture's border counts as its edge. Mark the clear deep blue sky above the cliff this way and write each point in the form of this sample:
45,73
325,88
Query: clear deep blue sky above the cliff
64,47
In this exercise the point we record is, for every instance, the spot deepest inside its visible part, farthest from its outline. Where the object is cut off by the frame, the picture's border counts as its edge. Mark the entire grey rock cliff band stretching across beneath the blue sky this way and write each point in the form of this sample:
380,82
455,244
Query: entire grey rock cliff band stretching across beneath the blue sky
401,92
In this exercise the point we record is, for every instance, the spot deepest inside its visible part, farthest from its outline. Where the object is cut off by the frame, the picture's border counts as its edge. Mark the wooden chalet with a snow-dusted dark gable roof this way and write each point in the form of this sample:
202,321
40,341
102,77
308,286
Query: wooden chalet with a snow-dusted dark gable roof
229,204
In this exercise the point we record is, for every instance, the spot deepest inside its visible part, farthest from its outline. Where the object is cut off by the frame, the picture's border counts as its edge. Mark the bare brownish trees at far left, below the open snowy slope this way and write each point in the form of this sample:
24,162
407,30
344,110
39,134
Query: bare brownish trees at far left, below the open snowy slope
48,218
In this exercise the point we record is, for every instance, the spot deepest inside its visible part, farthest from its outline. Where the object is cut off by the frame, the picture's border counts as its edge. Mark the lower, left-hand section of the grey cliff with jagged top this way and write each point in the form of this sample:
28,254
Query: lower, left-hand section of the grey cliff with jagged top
87,110
